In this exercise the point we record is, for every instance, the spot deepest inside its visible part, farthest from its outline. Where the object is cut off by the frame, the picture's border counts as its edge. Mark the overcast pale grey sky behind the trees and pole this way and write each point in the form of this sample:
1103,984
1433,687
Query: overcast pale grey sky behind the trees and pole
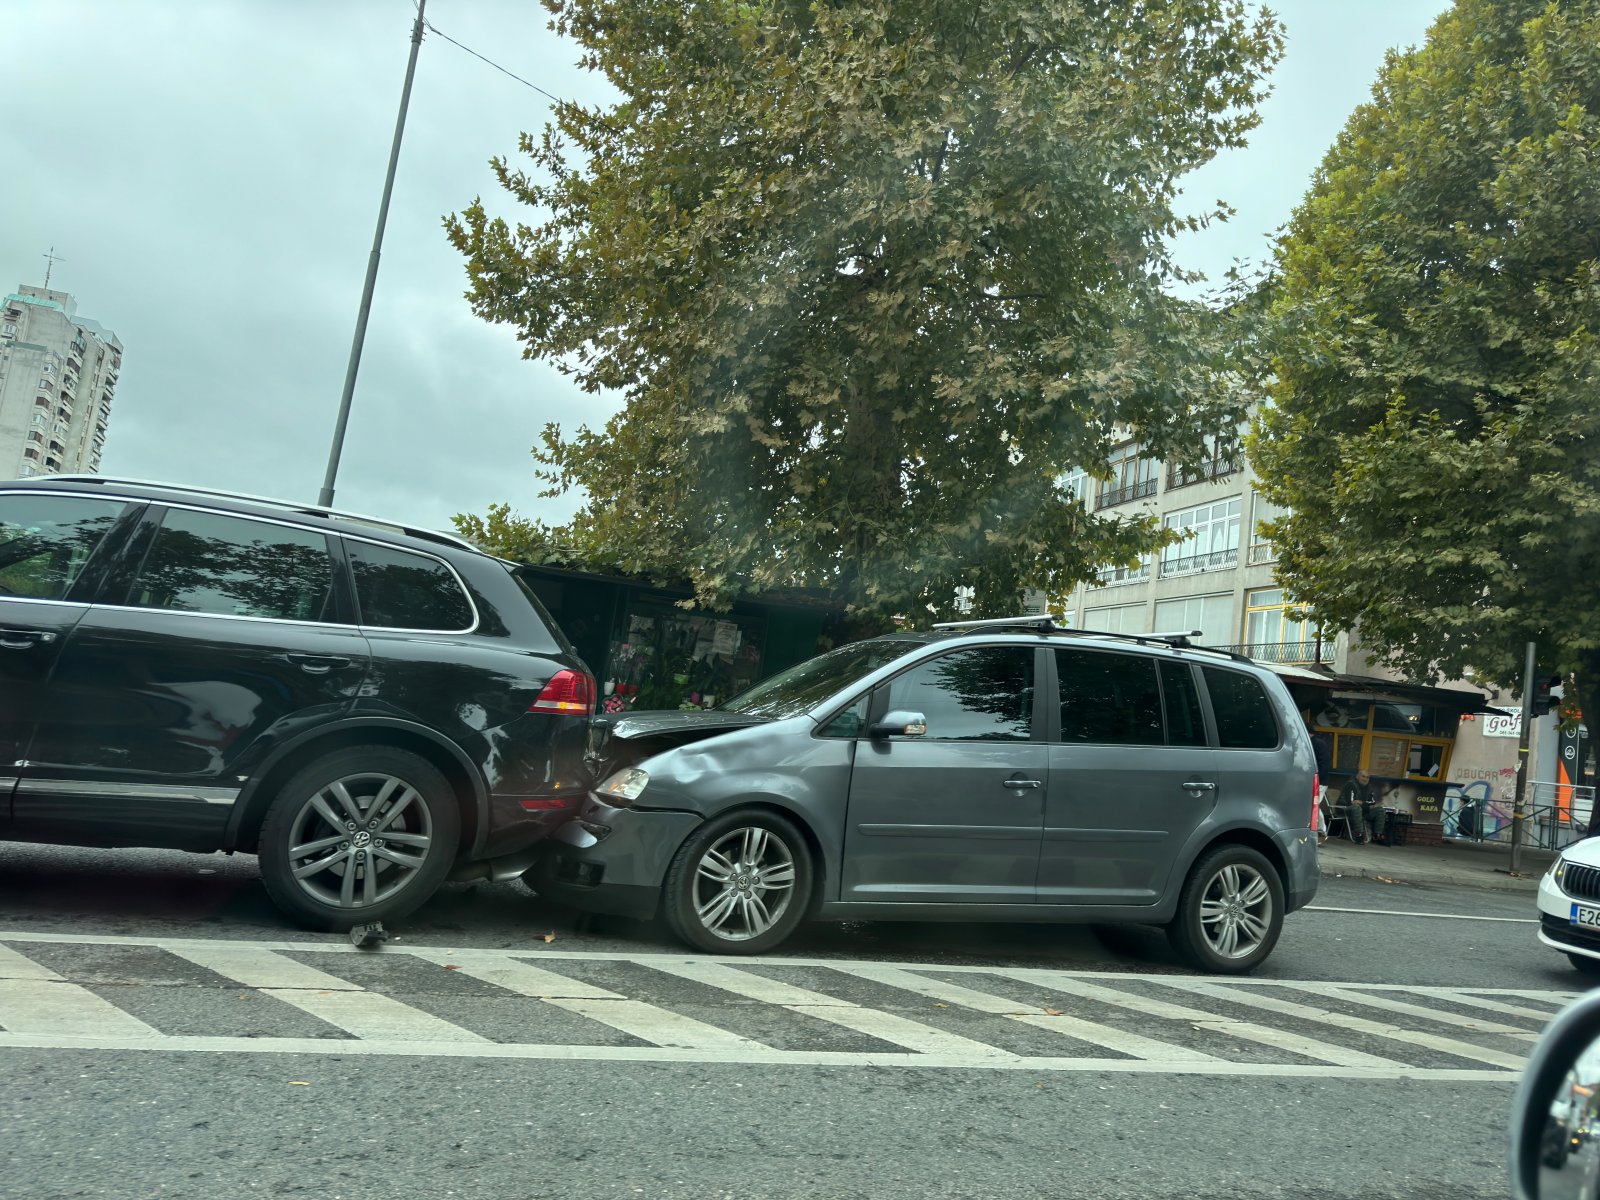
209,174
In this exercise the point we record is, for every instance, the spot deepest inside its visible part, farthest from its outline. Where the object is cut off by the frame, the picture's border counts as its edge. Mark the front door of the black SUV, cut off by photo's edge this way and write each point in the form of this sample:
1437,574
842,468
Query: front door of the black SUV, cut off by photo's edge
46,545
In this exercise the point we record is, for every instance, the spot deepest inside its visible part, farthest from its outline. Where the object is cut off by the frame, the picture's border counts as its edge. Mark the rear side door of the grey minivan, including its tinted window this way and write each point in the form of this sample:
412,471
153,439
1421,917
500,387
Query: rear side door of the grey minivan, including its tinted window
1130,778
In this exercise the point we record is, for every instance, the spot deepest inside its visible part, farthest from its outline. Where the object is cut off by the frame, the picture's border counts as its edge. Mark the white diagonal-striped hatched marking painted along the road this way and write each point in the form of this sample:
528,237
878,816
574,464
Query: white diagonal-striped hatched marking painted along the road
305,998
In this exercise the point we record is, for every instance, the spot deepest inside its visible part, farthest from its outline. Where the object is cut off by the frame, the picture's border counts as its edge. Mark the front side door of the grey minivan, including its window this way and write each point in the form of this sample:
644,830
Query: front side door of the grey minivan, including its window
956,815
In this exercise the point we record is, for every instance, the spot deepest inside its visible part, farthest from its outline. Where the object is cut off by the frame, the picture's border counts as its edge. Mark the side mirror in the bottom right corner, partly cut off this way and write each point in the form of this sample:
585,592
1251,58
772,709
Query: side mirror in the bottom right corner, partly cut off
1556,1118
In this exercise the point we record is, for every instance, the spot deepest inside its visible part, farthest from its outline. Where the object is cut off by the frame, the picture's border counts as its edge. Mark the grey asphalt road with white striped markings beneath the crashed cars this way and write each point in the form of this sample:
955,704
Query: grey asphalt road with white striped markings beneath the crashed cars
193,1046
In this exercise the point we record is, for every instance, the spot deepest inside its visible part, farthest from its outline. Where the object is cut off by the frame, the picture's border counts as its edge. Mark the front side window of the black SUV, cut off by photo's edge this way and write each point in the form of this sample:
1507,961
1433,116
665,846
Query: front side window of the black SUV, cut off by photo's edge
47,540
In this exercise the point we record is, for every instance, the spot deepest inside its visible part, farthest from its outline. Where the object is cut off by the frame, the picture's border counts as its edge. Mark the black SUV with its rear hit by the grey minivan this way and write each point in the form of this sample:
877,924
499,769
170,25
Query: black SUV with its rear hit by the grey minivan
369,708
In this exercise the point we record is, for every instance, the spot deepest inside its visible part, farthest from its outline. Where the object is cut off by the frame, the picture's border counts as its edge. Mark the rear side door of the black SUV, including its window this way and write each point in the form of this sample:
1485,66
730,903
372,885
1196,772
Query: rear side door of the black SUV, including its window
162,706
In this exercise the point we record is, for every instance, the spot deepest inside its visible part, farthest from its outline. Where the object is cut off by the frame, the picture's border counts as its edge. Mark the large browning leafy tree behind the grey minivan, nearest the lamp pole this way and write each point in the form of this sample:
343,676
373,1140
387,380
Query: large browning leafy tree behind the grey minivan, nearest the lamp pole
871,276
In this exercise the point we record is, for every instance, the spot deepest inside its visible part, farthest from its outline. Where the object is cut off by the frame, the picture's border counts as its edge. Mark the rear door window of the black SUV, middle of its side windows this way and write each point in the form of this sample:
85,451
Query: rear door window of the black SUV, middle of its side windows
204,562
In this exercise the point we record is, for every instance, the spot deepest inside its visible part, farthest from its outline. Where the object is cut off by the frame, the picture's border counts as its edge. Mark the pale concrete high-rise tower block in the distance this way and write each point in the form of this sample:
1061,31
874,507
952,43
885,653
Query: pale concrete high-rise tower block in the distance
58,374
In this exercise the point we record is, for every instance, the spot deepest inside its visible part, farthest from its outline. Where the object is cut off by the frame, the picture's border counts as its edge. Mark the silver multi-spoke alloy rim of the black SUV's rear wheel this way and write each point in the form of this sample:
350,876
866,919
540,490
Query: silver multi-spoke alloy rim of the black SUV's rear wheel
359,841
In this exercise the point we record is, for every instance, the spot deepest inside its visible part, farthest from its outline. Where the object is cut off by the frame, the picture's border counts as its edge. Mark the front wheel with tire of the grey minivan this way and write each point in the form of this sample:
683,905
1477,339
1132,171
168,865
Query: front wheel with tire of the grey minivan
740,884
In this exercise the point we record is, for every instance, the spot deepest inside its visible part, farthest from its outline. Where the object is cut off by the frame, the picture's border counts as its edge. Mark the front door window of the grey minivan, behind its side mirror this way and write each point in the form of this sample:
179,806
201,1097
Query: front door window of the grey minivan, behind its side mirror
974,695
